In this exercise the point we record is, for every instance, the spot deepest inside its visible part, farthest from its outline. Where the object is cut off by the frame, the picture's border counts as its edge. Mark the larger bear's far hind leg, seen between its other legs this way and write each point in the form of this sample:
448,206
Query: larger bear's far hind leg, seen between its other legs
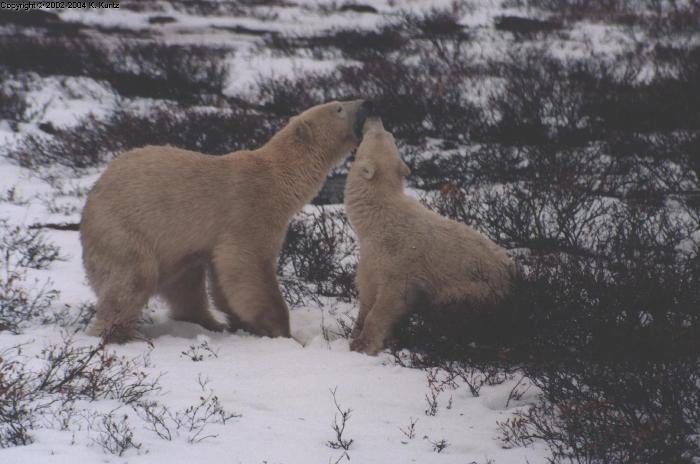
187,297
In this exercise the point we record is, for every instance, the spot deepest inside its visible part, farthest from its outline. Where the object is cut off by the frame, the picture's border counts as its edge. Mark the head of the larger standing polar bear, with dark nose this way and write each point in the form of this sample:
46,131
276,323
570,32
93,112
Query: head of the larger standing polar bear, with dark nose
335,126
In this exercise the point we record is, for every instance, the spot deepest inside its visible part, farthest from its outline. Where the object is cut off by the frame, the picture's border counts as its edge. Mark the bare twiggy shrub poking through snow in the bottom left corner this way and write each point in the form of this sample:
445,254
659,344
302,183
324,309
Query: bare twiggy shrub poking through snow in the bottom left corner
63,374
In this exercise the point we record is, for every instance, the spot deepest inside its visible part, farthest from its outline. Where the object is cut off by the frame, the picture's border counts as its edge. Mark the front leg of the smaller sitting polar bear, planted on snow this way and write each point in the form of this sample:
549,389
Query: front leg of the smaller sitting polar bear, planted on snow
388,309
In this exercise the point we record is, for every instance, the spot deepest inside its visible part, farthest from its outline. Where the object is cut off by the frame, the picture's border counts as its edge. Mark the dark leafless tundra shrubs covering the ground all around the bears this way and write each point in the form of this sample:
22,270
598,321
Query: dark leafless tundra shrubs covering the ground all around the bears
581,161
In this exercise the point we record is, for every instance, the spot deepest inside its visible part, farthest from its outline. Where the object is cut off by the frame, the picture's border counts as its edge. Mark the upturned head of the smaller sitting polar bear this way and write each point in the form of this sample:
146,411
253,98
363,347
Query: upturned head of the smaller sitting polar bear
377,160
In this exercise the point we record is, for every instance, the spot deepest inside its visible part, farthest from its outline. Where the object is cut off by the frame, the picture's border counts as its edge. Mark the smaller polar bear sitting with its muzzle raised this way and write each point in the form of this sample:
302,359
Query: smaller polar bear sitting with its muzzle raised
408,253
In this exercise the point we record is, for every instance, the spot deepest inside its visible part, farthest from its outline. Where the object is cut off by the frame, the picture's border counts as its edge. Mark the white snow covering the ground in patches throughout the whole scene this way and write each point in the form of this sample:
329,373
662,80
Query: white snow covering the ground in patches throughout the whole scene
281,388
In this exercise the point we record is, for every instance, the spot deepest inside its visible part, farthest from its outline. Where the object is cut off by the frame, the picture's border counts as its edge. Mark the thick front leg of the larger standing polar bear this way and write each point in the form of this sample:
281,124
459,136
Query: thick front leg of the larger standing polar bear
249,285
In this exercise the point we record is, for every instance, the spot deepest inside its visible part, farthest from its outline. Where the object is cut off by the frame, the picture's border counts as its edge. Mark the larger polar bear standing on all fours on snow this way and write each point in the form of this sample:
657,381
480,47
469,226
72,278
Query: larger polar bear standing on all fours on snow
159,217
